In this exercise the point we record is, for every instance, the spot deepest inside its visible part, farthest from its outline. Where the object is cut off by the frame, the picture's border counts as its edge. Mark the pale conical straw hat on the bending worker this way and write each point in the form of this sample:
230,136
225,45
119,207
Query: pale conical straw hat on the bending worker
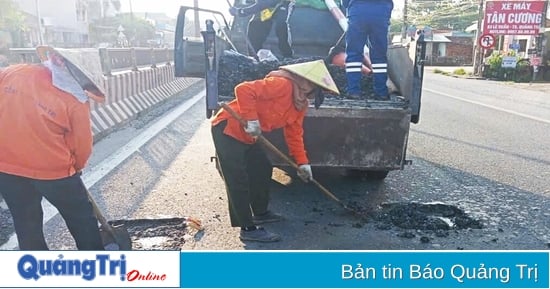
314,71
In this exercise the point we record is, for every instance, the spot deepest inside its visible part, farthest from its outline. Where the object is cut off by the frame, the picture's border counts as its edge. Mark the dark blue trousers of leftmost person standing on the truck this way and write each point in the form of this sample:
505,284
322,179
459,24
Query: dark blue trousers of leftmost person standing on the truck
258,30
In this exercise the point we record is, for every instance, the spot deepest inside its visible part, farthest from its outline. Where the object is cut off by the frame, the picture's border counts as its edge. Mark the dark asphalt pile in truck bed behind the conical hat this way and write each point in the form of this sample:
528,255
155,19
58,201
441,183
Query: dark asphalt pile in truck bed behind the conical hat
235,68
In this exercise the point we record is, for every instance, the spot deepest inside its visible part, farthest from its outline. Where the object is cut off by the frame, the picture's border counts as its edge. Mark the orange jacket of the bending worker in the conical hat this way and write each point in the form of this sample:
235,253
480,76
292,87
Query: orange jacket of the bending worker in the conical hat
269,100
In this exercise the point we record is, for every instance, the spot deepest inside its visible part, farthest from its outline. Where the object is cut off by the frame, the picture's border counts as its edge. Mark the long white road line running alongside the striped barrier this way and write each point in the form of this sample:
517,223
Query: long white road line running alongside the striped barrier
96,173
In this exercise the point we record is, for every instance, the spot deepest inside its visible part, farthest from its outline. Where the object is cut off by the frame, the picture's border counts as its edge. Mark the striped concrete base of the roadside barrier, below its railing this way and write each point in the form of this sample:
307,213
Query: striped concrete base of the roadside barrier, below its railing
133,92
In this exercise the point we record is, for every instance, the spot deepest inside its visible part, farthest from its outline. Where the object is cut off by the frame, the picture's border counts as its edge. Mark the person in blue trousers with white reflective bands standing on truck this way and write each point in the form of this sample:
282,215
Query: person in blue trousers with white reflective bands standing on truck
368,20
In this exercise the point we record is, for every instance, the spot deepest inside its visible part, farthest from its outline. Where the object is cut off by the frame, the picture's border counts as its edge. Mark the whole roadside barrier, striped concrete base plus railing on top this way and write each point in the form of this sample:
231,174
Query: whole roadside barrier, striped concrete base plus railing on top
135,79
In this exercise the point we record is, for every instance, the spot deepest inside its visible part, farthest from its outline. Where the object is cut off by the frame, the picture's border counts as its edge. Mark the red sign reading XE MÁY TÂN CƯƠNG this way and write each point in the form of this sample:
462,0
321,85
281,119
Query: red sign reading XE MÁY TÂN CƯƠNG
513,17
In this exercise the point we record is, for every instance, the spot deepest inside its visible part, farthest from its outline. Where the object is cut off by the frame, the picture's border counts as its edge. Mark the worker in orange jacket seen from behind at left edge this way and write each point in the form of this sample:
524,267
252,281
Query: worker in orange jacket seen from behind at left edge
46,142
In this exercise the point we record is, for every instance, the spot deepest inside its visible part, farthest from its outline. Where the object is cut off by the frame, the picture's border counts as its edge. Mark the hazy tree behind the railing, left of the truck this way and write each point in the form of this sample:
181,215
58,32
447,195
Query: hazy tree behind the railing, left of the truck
137,30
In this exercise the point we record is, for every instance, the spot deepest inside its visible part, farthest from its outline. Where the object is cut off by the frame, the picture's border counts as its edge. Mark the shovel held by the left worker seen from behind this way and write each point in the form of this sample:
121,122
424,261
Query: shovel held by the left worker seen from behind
114,237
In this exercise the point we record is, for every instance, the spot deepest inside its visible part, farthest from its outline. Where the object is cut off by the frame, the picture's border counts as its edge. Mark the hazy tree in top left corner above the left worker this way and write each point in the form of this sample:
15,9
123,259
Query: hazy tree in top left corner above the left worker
12,22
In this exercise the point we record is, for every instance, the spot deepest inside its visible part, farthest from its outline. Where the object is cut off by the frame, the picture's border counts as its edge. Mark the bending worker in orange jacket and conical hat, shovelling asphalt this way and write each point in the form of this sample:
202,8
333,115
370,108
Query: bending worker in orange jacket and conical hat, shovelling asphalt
280,100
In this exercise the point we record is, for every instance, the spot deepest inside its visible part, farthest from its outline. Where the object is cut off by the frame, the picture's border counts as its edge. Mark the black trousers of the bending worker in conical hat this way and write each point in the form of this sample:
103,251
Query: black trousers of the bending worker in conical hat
246,171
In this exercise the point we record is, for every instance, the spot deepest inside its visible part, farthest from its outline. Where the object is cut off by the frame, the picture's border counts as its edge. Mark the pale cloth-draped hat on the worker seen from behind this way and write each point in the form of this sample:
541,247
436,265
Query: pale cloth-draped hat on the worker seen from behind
85,66
